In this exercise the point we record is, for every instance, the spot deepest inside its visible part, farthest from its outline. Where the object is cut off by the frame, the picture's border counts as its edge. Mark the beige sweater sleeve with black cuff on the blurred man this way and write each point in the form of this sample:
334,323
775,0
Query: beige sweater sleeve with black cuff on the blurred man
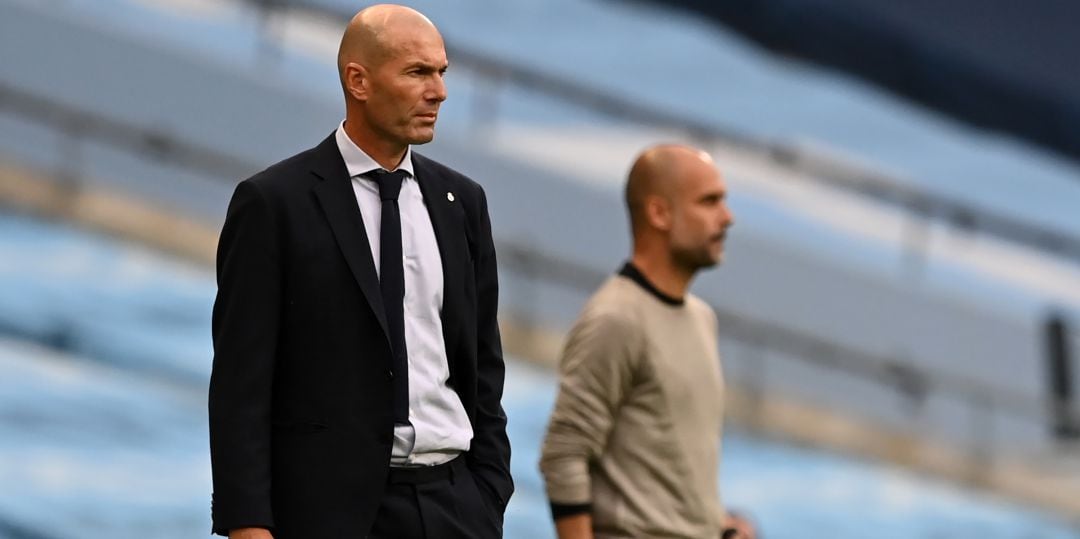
597,373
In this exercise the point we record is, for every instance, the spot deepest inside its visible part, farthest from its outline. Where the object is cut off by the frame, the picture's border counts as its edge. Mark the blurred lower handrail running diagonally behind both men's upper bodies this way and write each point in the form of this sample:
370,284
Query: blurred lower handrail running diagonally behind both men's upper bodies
908,380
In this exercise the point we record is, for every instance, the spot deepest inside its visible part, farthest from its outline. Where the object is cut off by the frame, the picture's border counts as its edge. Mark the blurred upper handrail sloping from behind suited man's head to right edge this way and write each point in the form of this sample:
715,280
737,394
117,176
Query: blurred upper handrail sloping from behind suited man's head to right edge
812,167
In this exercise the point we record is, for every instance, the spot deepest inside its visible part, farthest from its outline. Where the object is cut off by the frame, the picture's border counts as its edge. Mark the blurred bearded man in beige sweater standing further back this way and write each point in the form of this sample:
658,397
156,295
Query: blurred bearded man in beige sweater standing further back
633,444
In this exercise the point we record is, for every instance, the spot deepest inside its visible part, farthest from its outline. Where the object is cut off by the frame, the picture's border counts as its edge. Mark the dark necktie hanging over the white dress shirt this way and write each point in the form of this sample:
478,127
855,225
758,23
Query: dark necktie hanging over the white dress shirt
393,282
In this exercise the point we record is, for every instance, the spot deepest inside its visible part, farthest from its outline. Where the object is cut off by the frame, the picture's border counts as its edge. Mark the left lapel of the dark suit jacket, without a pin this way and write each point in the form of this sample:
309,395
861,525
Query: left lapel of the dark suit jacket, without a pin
340,203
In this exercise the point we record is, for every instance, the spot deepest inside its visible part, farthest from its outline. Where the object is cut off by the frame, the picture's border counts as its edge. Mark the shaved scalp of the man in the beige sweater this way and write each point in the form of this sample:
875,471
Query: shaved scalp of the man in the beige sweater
657,172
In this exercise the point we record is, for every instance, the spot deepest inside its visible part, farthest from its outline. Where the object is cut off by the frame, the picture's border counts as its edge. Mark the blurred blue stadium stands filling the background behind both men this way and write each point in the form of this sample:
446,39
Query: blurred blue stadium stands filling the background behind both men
900,301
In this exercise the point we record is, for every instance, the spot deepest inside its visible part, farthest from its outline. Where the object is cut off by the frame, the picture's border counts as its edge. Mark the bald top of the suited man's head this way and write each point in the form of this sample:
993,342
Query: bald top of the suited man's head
375,33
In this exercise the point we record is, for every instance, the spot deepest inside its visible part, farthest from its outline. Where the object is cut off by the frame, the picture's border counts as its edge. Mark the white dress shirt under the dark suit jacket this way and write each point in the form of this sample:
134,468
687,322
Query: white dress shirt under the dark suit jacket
439,427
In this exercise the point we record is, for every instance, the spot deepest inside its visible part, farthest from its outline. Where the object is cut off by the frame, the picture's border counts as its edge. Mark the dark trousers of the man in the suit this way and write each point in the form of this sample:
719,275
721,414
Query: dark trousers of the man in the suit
437,503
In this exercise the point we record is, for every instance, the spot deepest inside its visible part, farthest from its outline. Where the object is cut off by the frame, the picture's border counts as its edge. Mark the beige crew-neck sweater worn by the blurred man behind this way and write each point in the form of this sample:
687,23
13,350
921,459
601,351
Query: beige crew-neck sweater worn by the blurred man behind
637,427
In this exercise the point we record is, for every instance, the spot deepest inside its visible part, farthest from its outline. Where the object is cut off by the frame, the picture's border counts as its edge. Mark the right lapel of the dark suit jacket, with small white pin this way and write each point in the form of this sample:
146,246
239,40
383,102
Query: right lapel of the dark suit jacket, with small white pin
448,219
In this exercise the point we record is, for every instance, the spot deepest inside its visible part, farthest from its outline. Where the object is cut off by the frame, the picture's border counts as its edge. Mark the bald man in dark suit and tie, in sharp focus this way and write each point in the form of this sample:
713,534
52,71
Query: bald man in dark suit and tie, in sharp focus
358,368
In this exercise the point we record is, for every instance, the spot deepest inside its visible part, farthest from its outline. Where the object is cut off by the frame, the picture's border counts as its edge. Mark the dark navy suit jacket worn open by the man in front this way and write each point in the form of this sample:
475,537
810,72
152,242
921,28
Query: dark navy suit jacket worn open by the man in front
301,410
